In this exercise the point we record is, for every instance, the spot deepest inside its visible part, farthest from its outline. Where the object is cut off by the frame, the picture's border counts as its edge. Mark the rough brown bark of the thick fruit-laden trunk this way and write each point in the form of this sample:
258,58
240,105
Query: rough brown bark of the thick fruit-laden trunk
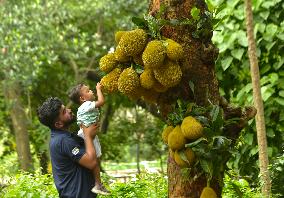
198,67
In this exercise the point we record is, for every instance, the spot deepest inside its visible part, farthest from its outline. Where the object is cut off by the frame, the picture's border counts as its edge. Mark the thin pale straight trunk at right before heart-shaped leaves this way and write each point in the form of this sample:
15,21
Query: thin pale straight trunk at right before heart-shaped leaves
260,122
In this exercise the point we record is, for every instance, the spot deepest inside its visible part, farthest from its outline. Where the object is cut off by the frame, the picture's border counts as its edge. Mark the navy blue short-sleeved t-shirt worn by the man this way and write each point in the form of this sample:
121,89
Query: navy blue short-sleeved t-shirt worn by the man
71,179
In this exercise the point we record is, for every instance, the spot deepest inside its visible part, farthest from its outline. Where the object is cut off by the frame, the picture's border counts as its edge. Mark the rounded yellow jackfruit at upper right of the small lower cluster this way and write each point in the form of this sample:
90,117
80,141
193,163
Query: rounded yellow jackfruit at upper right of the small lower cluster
191,128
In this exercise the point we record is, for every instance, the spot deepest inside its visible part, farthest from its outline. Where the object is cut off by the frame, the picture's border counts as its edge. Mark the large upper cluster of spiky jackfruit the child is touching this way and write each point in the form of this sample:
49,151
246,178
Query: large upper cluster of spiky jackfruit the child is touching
158,61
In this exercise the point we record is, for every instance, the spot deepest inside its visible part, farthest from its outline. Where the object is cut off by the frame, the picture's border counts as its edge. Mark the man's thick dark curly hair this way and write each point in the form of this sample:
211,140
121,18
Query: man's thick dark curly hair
49,111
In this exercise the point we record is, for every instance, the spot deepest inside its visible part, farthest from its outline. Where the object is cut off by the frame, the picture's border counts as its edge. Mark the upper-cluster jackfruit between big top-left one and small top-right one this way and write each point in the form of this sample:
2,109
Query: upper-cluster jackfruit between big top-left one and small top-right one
154,54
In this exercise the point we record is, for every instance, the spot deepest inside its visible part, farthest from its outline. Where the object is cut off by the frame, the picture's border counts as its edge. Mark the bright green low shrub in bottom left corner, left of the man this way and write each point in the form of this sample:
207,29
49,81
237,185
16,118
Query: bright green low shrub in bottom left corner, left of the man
30,185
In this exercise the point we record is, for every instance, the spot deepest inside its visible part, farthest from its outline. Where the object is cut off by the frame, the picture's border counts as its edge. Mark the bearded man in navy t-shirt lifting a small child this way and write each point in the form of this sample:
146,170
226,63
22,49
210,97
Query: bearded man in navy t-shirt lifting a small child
72,158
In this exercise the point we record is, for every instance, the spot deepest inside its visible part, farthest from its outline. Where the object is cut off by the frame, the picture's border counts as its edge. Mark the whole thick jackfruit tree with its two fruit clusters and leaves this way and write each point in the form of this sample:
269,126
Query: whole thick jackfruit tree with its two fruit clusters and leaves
167,62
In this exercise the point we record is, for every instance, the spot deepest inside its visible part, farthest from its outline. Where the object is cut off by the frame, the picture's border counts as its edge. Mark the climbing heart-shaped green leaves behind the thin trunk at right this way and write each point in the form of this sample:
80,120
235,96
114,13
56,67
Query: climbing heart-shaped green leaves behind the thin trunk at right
230,38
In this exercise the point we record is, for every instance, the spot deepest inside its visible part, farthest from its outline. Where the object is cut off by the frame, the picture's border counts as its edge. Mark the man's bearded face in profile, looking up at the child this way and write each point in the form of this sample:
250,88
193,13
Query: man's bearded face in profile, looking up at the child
65,118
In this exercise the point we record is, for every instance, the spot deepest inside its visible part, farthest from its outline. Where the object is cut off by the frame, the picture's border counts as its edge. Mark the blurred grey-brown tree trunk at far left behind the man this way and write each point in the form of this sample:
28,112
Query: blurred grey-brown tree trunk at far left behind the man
19,120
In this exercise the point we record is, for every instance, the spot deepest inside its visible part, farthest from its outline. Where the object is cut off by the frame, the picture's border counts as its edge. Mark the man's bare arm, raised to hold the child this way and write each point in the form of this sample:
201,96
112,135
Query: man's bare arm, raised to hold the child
89,159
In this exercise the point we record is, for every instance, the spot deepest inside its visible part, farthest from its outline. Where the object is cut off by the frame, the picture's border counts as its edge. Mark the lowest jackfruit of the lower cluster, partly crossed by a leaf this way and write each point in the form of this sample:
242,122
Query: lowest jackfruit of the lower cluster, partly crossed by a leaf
190,157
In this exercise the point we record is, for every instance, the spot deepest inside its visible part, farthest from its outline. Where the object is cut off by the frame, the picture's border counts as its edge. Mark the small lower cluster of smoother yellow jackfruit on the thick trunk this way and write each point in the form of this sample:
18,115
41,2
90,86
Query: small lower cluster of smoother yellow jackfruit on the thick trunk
176,138
